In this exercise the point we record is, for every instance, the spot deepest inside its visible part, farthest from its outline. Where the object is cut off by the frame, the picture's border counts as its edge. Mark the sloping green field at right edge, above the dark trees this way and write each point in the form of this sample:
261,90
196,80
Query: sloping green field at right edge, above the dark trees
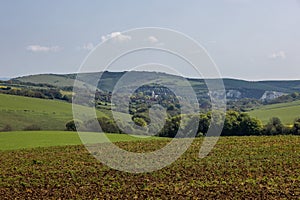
287,112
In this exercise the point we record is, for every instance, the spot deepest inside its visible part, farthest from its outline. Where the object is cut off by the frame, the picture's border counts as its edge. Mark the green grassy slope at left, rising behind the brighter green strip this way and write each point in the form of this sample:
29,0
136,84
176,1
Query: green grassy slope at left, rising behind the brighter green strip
20,112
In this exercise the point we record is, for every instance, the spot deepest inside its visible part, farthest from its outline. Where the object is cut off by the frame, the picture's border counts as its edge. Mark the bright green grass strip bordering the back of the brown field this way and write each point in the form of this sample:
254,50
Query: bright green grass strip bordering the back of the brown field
32,139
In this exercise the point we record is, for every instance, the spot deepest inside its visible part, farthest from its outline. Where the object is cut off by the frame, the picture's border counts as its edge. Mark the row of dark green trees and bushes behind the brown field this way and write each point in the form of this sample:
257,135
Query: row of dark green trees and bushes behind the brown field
235,124
